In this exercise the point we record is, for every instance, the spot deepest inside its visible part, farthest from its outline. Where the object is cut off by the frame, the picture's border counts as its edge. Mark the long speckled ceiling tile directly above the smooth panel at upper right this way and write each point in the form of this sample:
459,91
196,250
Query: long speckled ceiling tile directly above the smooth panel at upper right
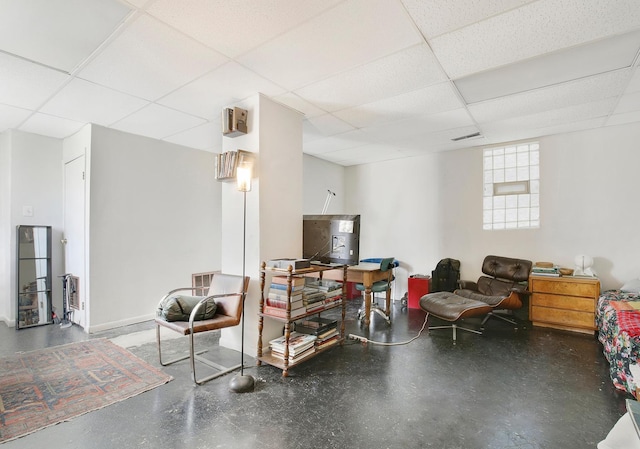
534,29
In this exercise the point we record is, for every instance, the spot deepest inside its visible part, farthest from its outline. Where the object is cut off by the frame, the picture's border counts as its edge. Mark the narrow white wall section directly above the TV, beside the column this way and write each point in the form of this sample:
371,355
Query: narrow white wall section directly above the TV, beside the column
320,176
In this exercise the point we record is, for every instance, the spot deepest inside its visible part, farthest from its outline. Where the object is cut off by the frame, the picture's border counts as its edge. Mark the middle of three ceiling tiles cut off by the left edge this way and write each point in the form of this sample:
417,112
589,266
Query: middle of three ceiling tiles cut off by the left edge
25,84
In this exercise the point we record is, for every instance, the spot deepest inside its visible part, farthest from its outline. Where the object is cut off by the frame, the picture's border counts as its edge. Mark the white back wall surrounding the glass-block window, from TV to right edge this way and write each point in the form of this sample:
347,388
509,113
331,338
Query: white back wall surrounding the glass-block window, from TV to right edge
431,208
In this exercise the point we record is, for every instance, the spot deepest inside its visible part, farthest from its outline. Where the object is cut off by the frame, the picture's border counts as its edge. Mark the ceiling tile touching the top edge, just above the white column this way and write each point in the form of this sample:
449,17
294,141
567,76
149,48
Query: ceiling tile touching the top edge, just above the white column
353,33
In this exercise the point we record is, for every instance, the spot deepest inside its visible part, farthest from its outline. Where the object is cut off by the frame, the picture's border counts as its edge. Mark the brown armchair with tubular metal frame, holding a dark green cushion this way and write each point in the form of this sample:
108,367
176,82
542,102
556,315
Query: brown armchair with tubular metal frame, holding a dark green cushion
227,291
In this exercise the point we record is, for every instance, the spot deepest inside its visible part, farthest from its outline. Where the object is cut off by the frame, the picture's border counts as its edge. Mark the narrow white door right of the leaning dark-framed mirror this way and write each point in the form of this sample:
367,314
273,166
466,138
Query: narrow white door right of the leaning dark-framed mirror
74,233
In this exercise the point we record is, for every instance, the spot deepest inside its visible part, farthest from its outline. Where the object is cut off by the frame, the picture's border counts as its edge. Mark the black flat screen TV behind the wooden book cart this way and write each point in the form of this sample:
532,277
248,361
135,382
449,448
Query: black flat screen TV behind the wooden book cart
331,238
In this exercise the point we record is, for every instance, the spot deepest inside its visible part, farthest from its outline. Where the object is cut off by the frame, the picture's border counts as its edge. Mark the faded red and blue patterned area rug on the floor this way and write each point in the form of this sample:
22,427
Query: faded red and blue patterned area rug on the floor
45,387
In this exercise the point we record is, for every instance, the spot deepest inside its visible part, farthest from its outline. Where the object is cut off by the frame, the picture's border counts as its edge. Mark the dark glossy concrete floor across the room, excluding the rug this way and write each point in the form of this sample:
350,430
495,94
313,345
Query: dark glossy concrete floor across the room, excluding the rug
534,388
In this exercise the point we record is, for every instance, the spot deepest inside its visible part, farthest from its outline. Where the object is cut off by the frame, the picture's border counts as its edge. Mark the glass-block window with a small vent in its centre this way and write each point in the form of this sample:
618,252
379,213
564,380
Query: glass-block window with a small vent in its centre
511,187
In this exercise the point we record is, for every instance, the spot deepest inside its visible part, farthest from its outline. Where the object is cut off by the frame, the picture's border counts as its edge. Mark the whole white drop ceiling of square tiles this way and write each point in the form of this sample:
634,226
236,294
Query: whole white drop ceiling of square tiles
376,79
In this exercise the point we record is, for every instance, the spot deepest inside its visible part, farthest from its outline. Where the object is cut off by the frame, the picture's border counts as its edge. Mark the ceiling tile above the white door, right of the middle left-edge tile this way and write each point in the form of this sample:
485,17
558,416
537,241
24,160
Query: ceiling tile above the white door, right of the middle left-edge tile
86,102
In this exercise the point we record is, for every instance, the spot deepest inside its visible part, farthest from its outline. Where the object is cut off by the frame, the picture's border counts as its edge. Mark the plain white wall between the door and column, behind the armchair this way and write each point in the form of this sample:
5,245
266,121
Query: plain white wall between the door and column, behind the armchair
155,220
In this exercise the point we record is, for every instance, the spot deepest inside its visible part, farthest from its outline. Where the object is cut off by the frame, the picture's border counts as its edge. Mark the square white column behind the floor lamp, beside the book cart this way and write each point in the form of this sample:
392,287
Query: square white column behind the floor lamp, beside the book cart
274,207
